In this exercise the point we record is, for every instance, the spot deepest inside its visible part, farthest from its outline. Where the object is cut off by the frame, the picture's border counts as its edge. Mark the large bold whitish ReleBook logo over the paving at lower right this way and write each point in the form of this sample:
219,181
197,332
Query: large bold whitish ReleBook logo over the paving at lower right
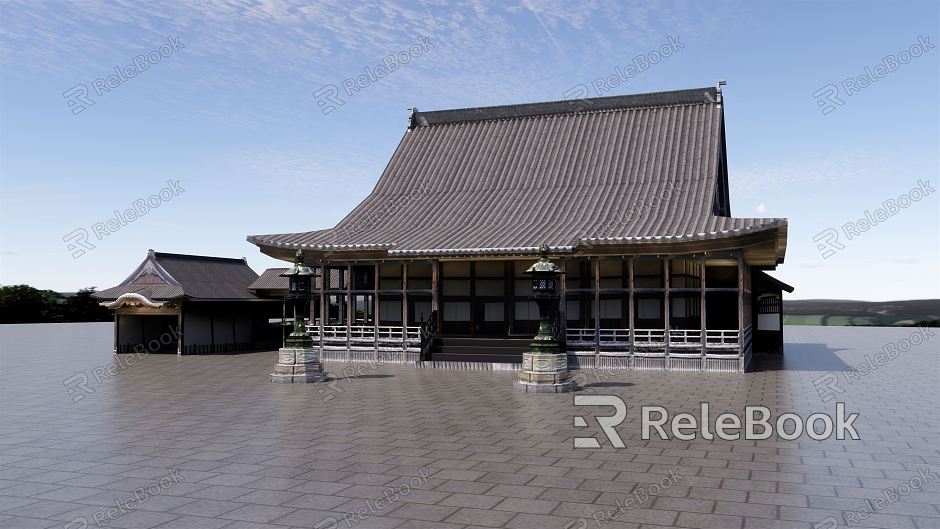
759,423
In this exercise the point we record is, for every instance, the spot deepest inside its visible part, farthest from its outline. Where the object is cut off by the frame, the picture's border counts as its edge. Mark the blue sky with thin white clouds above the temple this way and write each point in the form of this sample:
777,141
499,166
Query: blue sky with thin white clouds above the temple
230,113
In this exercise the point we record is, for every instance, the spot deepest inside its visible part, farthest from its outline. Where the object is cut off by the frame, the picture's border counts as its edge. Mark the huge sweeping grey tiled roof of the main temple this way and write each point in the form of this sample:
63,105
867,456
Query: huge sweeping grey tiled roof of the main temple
615,170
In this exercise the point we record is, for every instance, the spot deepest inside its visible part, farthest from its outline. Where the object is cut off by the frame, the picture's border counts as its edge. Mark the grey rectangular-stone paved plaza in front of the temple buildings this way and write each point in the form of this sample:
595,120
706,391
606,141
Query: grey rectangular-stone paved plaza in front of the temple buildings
398,447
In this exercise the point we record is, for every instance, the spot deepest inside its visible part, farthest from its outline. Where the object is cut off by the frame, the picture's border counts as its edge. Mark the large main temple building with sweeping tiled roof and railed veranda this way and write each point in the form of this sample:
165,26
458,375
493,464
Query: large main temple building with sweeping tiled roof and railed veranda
630,193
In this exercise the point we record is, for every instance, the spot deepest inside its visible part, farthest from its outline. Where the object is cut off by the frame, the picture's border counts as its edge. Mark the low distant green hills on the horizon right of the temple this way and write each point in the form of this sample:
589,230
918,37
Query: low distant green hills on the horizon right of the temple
866,313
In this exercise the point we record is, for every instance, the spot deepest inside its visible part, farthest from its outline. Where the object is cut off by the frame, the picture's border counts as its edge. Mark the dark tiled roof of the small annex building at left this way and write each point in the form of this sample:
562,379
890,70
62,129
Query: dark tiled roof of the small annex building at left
165,276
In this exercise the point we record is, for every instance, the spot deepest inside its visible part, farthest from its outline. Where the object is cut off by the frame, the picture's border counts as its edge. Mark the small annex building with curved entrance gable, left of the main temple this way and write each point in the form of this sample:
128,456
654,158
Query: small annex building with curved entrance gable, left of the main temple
193,304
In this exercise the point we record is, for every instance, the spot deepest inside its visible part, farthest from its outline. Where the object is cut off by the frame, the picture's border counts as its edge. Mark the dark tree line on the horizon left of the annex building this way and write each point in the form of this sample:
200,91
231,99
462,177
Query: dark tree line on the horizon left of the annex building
25,304
